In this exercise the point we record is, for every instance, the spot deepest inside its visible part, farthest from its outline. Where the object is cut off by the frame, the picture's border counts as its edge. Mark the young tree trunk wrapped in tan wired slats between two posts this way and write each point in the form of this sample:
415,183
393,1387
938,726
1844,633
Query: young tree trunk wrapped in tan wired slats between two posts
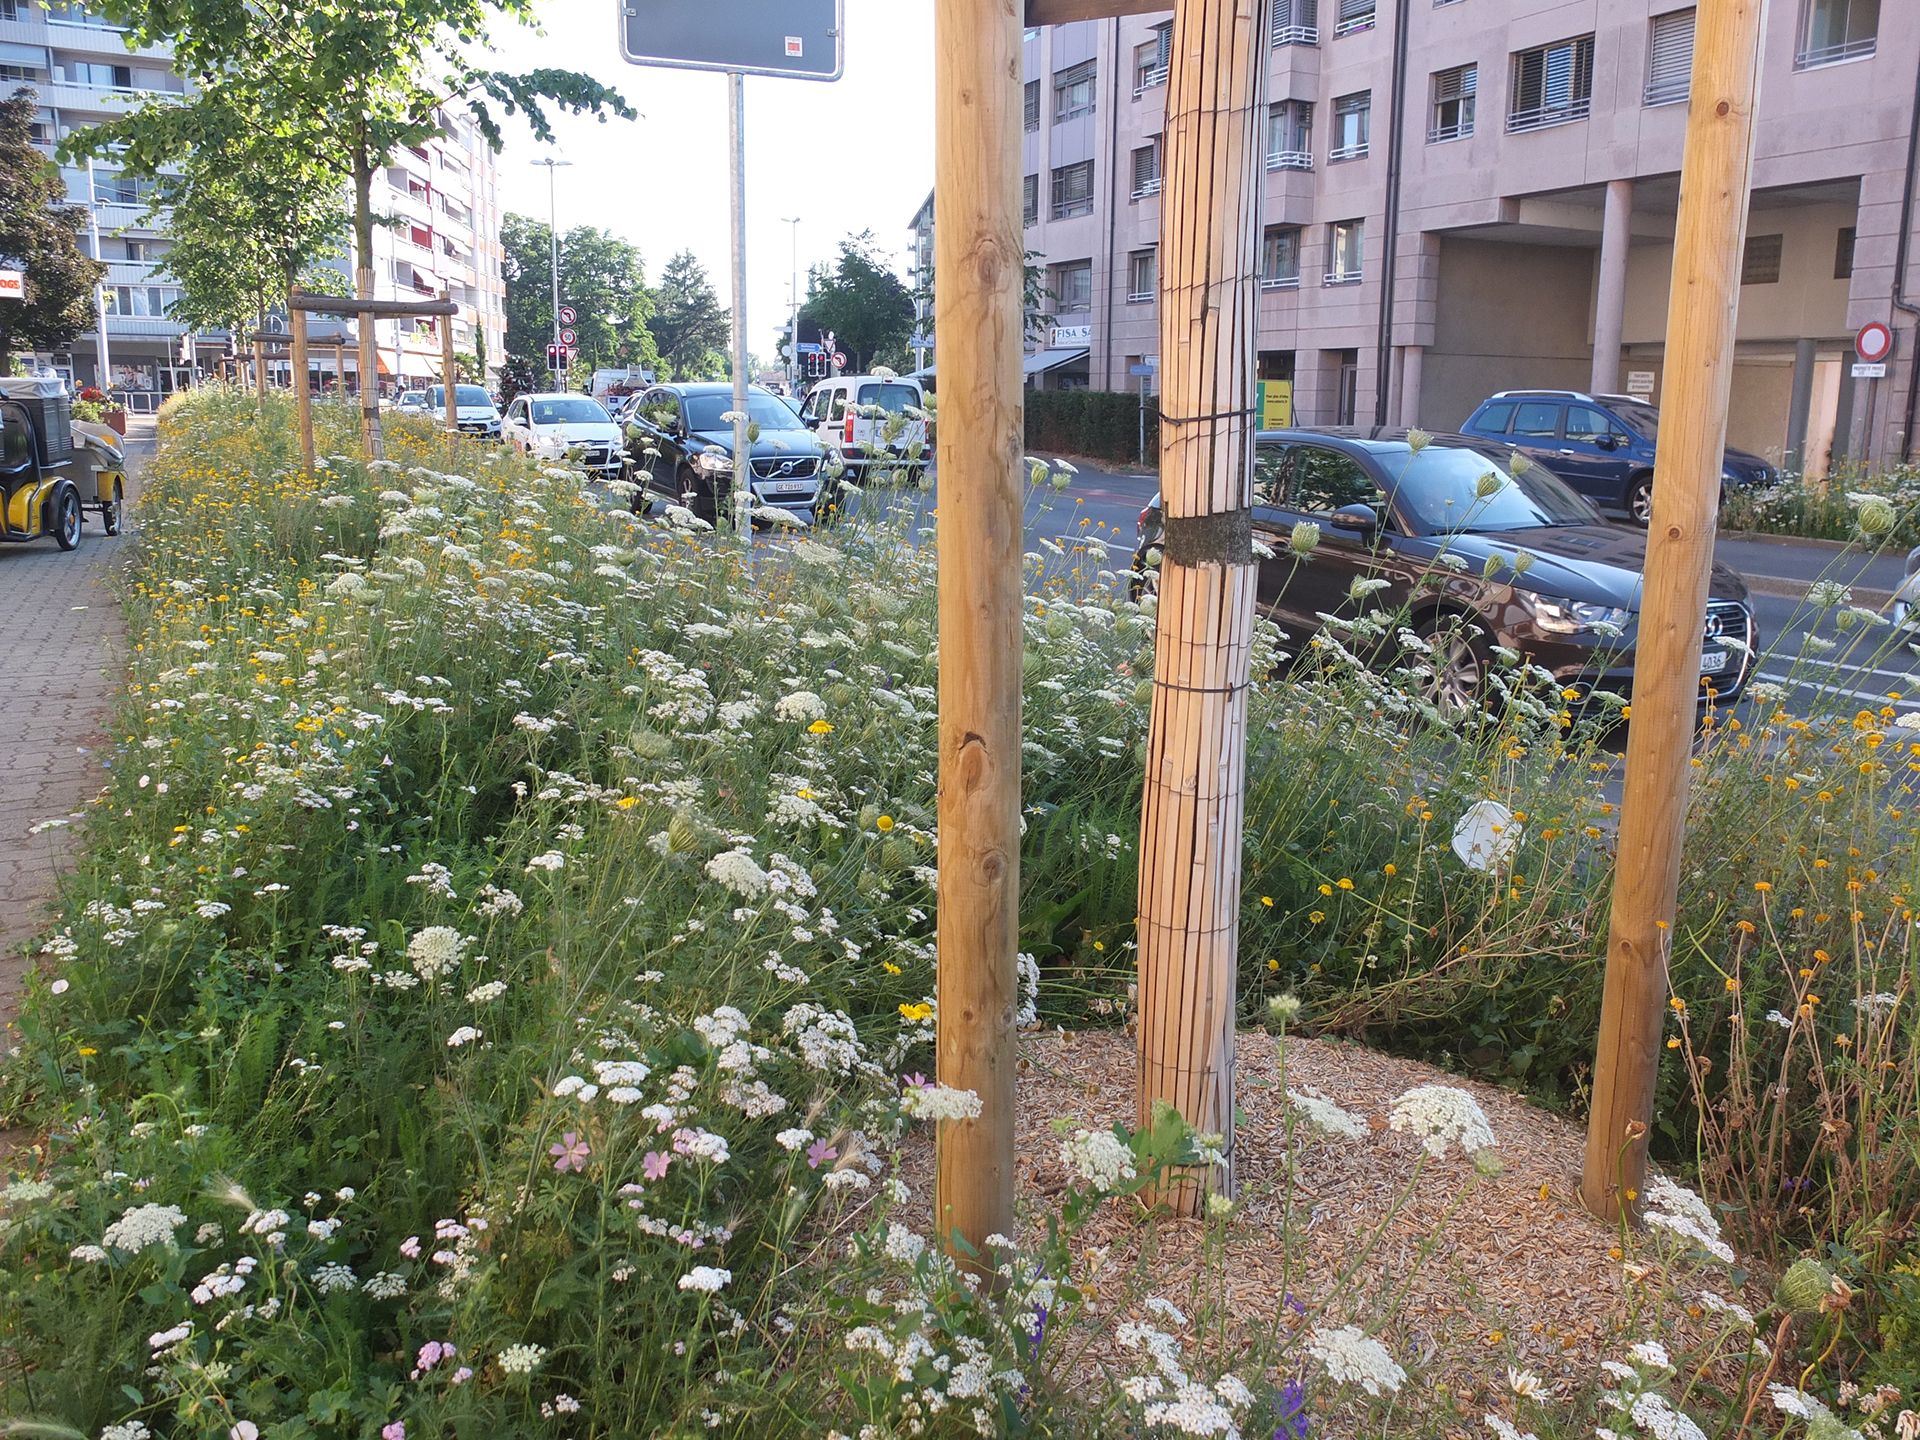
1191,817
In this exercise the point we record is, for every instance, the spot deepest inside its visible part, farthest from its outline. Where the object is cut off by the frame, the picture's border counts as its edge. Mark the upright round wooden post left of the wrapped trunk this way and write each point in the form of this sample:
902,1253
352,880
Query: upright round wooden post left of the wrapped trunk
978,256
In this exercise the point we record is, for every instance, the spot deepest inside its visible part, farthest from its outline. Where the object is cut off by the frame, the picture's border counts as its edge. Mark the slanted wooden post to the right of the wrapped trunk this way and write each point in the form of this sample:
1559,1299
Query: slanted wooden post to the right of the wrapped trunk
1716,178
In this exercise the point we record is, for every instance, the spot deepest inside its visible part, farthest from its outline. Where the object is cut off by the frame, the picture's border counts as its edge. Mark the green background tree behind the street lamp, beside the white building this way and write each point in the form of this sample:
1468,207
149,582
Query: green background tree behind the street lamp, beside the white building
602,277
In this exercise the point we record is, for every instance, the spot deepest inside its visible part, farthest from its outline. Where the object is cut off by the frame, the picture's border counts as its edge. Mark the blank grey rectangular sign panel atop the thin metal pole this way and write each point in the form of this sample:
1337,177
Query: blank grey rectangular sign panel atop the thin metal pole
792,39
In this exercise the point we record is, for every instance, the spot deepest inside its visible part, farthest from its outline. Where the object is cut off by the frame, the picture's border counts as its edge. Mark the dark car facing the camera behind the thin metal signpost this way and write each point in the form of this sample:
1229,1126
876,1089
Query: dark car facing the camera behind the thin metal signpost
694,441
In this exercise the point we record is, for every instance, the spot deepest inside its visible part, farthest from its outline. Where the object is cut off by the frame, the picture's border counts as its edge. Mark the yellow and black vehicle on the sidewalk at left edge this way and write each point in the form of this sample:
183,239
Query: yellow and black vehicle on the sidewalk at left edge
53,468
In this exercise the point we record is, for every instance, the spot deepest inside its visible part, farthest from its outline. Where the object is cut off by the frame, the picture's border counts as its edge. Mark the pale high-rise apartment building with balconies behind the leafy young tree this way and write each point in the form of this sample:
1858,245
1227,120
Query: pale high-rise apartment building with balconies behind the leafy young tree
444,199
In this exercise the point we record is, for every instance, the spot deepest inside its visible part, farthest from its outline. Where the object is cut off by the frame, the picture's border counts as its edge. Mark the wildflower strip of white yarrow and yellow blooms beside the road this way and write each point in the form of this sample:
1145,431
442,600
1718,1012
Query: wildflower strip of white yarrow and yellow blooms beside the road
496,999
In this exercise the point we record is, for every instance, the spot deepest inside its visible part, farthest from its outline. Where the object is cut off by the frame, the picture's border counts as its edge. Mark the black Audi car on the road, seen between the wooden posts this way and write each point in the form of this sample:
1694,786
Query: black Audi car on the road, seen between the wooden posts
1395,514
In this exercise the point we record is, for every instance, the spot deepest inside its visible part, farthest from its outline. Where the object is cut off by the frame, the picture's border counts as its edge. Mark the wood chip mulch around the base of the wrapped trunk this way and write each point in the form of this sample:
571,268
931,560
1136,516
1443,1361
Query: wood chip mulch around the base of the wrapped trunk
1474,1274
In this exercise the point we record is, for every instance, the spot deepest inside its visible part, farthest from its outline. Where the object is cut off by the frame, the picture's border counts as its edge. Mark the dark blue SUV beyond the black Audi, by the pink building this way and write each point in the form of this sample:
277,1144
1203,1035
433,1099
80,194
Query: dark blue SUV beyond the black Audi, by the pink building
1598,444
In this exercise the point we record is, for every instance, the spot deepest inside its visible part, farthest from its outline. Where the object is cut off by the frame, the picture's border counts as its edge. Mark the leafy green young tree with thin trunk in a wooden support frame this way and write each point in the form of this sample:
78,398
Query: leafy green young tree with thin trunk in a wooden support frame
348,84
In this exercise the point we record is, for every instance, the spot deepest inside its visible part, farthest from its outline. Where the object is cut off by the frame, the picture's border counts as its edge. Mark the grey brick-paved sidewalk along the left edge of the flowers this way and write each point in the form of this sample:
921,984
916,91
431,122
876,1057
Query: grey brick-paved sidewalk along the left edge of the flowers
60,671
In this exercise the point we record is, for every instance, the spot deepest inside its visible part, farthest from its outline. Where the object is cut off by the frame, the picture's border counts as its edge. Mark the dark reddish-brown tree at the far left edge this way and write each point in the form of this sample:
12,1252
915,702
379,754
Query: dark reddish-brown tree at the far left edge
39,235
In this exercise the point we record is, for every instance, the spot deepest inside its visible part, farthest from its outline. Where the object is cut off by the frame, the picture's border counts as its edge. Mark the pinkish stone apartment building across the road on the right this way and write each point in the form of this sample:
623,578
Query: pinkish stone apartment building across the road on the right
1477,195
